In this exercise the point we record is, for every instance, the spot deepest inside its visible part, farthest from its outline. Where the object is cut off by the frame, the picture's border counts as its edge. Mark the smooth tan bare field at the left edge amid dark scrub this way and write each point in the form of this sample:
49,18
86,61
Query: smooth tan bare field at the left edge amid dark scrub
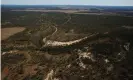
7,32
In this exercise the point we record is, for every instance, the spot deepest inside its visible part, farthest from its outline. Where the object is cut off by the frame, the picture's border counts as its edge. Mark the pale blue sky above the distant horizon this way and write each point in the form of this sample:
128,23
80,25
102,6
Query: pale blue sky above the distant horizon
70,2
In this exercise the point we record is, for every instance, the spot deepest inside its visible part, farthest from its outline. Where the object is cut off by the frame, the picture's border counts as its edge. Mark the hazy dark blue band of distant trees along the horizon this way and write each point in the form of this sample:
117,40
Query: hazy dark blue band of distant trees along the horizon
58,7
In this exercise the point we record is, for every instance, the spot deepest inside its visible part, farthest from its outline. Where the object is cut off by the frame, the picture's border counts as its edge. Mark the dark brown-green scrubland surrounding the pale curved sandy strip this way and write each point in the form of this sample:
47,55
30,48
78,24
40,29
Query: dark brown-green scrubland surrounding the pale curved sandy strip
105,56
